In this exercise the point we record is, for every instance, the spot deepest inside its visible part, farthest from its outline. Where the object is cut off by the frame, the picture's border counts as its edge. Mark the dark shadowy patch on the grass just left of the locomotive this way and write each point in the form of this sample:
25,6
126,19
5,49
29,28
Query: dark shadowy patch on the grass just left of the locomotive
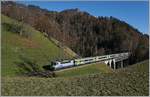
31,68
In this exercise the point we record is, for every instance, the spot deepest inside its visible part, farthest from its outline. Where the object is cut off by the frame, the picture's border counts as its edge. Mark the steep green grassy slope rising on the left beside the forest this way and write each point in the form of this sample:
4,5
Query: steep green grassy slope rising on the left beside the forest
36,48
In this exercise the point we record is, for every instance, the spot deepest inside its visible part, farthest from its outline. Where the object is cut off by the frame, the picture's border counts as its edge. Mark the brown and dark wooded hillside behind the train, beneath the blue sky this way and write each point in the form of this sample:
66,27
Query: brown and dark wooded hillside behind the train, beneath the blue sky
83,33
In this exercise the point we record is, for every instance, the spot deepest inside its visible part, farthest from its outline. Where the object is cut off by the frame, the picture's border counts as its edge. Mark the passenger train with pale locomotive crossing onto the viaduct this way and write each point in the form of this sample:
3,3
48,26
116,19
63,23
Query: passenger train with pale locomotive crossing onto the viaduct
81,61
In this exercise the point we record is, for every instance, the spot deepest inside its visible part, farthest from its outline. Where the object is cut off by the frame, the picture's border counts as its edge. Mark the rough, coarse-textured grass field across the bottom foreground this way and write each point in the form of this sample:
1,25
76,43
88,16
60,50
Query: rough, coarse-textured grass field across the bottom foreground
130,81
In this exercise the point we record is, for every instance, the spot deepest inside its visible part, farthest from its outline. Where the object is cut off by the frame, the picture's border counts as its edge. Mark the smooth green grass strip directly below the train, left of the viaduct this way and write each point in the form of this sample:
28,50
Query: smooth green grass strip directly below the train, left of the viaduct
84,70
